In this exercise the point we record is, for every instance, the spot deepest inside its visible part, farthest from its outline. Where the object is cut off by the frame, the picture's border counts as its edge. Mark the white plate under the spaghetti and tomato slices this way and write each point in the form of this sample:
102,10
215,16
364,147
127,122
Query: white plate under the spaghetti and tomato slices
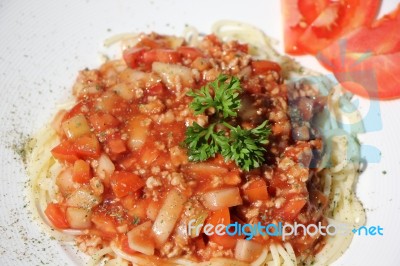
43,44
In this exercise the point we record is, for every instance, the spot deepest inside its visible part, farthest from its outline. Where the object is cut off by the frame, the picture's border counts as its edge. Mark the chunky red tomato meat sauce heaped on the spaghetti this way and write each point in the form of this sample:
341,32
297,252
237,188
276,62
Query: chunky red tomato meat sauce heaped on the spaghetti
128,125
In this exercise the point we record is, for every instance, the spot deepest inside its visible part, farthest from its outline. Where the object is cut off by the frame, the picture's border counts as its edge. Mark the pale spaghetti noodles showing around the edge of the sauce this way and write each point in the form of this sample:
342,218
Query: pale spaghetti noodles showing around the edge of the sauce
338,171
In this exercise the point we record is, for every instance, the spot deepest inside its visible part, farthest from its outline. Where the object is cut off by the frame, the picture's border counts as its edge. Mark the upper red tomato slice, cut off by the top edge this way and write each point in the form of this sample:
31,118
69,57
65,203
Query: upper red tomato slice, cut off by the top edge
310,26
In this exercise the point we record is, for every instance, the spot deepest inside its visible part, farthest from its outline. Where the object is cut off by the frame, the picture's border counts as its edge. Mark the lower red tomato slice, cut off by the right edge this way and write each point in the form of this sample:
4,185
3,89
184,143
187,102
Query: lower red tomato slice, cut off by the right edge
365,62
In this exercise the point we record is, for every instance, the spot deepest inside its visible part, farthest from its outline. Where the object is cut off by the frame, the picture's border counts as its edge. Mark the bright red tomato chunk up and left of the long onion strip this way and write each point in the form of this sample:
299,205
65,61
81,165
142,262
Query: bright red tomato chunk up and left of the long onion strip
123,183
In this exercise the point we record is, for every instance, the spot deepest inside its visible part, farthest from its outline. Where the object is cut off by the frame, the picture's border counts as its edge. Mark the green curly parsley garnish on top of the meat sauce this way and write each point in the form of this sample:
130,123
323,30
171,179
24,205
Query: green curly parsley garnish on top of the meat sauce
245,147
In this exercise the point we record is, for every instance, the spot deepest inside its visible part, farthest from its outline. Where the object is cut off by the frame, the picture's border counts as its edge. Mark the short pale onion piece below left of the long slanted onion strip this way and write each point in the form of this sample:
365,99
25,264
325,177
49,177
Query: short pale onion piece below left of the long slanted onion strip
139,240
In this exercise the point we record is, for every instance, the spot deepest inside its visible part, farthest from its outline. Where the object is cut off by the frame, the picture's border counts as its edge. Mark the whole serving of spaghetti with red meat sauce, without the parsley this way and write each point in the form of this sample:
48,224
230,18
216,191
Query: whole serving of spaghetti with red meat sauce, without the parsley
96,203
